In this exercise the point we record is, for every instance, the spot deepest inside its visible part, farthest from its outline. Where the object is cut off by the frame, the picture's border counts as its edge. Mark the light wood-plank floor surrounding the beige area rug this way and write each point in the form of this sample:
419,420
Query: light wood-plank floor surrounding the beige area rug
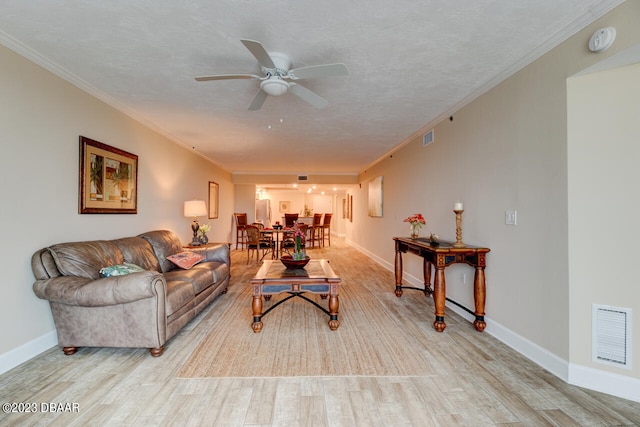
495,386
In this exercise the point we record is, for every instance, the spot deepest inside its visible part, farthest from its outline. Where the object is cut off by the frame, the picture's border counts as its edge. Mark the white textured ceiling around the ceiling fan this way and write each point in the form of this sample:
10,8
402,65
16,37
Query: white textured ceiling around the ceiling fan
410,63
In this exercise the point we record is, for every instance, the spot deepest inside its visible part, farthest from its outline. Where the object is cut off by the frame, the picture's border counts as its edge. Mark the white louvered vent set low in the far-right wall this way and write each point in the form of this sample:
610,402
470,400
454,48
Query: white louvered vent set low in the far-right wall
611,335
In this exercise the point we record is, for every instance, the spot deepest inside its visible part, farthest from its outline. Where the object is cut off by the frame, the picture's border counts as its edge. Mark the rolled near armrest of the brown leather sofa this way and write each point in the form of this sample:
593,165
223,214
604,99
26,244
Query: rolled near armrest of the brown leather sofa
114,290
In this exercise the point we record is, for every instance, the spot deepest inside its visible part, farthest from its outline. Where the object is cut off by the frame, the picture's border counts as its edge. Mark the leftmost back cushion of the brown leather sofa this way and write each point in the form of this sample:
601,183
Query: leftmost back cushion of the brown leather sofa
85,259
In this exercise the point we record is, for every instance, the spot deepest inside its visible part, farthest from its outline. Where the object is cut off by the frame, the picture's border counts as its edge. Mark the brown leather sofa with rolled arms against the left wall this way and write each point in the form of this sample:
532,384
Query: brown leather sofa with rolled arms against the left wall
142,309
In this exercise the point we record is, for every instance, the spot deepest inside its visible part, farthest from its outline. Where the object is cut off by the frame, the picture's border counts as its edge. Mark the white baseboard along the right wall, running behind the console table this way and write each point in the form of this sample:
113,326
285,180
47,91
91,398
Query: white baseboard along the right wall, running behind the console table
581,376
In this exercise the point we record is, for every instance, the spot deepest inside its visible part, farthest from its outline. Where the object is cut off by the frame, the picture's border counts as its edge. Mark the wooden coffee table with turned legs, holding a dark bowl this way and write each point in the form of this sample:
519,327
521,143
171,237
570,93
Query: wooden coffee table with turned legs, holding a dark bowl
273,278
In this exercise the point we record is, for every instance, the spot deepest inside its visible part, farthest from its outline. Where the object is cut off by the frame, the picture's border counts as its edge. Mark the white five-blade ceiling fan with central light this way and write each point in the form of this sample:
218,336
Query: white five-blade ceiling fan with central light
278,79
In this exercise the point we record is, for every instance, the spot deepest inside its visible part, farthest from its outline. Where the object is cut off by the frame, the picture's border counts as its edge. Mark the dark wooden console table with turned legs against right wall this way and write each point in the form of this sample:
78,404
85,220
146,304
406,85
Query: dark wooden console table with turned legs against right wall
441,255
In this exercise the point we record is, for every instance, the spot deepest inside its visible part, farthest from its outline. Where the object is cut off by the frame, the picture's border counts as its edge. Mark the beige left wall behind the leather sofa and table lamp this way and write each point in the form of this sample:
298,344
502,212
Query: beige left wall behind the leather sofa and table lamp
41,118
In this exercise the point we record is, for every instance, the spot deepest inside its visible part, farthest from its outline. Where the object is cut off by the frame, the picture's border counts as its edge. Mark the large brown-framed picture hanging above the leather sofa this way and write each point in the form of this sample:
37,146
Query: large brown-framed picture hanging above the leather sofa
108,179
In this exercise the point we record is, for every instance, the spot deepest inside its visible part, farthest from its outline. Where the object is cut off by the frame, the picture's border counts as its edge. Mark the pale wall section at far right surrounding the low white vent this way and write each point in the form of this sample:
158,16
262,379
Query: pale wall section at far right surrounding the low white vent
604,202
